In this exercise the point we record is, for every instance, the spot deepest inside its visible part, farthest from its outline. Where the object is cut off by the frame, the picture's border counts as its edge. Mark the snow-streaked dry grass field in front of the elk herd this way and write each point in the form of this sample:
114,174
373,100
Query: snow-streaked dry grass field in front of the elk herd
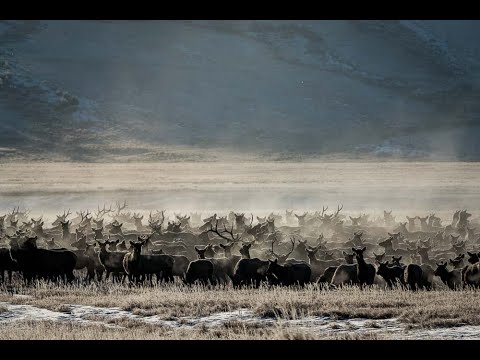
176,312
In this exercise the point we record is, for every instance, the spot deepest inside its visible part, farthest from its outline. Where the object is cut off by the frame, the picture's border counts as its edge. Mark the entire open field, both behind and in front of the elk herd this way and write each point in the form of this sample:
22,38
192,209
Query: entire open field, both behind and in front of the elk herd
108,311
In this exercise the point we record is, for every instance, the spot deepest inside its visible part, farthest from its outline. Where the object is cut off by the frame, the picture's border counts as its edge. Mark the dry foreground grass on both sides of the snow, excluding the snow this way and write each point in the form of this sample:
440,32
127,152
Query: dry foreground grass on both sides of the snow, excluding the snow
420,310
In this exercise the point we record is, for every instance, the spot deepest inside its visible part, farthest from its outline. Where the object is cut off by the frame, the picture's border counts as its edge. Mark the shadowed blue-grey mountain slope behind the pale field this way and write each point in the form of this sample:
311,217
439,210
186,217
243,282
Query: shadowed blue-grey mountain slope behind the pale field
191,90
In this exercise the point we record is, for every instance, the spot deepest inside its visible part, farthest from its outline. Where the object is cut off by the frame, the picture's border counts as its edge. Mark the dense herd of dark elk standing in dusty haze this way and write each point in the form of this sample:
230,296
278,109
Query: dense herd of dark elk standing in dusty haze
328,248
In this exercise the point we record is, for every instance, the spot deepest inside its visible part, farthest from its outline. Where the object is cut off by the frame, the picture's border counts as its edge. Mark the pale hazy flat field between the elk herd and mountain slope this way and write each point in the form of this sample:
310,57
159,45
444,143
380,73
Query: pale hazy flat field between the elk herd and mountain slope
260,187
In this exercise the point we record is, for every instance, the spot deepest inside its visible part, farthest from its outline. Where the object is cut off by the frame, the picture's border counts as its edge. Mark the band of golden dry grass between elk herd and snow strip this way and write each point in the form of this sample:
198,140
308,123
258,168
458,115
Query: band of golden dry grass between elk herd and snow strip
423,308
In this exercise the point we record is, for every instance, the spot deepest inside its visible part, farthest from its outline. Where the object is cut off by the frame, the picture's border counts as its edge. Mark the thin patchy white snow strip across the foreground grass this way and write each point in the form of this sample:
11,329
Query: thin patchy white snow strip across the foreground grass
78,314
